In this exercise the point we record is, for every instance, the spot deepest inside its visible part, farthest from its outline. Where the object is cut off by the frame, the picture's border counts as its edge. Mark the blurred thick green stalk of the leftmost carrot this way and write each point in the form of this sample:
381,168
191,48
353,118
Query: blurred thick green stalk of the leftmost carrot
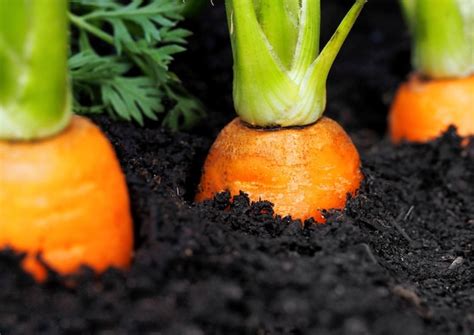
34,89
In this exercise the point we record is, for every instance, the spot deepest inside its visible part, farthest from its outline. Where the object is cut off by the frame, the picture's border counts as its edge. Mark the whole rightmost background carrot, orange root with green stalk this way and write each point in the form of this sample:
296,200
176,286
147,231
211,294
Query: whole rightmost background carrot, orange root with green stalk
440,92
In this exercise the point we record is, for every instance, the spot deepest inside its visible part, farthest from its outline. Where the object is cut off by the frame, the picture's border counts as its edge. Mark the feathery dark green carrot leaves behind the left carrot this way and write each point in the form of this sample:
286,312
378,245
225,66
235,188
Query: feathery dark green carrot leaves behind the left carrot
120,61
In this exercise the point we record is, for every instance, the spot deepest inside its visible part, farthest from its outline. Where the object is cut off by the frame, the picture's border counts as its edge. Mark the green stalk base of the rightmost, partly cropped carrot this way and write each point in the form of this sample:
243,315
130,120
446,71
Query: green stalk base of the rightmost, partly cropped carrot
443,36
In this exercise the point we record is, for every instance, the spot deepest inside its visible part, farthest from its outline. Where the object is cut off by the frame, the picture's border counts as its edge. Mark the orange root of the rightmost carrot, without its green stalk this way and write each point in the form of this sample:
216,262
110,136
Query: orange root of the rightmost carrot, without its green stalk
423,110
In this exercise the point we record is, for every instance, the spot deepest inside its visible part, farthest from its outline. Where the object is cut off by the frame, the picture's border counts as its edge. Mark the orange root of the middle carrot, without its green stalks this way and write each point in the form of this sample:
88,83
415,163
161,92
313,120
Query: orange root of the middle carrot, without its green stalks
301,171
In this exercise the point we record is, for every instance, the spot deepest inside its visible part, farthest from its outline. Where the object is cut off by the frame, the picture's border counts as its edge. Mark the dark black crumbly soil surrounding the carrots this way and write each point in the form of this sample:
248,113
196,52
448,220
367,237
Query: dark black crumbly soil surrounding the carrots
398,260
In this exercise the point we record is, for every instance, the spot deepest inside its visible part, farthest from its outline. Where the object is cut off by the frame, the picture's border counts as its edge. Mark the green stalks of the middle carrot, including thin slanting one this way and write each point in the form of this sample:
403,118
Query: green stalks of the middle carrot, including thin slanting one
279,73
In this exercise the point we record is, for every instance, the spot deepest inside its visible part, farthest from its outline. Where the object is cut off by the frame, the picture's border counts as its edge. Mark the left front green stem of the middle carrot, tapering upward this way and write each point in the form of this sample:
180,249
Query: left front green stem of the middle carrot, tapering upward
259,77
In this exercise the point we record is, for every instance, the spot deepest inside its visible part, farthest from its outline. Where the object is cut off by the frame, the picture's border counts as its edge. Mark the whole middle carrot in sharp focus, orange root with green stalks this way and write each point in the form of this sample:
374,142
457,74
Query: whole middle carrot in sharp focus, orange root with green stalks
281,148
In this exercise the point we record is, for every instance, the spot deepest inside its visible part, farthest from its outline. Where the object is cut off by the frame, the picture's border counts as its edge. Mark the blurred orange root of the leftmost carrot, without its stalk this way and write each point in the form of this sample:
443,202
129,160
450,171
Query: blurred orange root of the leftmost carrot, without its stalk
66,198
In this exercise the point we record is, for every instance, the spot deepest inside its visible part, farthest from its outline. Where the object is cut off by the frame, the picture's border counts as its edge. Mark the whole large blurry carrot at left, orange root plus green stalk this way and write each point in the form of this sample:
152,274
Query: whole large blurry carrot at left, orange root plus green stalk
62,193
